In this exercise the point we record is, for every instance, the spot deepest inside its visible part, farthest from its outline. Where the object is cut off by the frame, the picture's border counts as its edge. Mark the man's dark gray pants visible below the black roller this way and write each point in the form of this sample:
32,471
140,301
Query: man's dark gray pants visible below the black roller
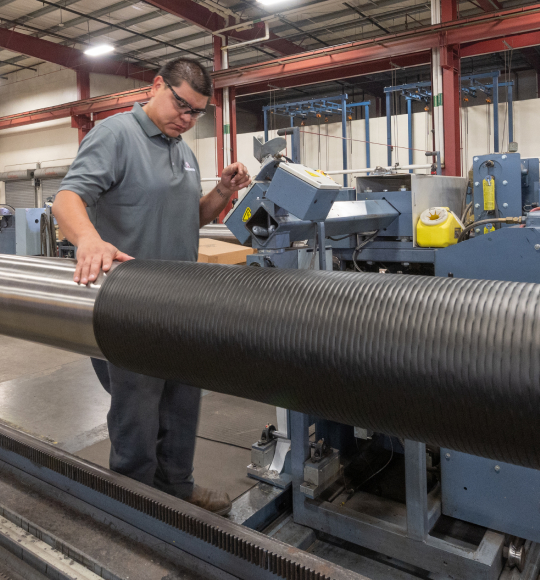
152,426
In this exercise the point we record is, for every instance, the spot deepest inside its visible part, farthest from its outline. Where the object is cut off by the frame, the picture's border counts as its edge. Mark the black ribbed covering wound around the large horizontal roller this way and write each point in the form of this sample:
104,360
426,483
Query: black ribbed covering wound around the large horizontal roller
449,362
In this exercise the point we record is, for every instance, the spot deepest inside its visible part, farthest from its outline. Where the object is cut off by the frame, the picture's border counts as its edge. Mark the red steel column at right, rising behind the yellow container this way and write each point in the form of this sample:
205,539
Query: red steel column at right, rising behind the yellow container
450,64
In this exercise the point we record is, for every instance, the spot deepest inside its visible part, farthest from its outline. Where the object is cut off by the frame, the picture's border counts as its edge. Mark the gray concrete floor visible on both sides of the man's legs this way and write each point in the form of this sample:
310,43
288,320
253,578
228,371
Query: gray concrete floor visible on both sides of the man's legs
56,396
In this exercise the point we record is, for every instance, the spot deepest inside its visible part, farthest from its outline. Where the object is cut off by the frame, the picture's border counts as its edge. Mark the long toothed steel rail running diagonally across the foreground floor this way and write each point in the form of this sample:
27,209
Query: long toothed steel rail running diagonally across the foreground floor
245,553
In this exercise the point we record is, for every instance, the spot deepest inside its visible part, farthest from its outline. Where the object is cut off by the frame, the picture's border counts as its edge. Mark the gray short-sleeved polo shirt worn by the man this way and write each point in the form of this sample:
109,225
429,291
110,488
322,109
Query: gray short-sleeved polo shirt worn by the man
141,187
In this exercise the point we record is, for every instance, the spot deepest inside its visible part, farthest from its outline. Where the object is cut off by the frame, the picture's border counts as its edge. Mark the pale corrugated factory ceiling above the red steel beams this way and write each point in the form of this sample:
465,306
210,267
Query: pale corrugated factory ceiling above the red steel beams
146,34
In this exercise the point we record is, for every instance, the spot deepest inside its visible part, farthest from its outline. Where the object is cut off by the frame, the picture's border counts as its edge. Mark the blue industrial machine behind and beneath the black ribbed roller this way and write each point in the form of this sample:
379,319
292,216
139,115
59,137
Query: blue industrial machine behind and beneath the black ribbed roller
391,495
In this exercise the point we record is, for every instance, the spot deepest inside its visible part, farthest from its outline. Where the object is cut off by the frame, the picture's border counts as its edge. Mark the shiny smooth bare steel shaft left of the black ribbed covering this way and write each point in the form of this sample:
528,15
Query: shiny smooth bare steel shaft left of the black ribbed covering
40,302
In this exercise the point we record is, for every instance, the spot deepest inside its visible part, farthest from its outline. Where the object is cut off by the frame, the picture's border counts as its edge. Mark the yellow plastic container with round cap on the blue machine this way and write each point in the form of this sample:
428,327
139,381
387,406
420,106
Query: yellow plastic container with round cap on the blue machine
438,227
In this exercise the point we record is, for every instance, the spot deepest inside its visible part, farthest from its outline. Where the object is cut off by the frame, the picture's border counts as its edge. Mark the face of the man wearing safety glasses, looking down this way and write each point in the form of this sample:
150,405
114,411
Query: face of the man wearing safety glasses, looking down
171,117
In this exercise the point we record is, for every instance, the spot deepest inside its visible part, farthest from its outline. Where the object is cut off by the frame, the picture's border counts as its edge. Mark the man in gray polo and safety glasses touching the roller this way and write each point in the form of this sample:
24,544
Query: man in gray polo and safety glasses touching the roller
134,191
